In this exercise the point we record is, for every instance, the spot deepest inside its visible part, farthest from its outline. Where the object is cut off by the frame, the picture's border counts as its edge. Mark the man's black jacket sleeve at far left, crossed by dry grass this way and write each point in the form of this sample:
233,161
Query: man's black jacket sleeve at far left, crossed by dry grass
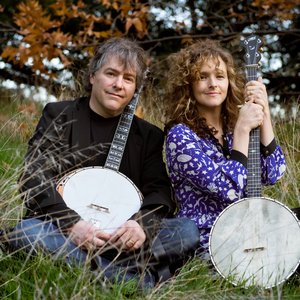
43,164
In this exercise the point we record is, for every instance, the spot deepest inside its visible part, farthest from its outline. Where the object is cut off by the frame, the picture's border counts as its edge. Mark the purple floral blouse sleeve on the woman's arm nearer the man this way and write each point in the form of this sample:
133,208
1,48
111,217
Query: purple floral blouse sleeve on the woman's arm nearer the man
198,161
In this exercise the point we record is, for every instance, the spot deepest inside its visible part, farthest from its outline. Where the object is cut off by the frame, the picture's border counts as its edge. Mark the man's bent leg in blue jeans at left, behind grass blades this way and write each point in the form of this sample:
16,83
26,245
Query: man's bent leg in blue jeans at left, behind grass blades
33,235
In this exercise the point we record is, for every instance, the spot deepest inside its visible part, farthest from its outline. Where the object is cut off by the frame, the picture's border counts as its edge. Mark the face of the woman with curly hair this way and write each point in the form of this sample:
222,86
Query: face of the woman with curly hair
210,89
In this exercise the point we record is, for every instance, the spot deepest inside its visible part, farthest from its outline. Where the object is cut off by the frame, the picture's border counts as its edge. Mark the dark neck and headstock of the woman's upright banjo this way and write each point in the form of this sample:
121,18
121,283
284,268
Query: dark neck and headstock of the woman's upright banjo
252,58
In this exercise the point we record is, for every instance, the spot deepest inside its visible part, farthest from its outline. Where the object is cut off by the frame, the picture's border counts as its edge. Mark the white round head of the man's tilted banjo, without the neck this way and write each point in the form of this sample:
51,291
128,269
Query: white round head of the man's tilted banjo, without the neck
105,197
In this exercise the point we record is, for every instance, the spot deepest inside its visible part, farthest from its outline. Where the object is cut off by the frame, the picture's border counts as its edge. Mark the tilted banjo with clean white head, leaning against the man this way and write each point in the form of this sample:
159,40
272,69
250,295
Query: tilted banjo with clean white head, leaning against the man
103,195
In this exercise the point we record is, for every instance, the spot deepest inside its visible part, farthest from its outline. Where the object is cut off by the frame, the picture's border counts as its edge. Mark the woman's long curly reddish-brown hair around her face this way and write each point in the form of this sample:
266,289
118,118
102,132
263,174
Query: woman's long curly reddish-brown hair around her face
180,104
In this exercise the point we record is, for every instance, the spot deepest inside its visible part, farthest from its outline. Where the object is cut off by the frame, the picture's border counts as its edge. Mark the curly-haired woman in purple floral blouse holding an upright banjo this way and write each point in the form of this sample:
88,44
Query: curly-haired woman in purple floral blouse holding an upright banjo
210,113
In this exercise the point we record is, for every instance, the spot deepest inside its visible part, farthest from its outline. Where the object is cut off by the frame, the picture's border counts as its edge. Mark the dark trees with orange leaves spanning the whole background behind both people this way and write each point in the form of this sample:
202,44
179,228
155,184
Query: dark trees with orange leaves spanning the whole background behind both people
43,39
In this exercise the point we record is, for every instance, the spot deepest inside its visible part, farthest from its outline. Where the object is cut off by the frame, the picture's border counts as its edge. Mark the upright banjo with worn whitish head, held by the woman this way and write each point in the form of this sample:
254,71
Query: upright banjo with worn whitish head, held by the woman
256,240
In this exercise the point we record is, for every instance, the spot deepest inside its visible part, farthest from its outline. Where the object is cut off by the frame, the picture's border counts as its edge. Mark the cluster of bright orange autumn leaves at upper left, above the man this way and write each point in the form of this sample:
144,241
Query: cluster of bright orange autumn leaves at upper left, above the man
44,30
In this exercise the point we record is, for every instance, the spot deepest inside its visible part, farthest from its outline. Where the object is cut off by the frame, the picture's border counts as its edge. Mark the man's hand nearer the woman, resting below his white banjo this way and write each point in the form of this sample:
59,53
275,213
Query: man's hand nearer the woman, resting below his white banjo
130,236
